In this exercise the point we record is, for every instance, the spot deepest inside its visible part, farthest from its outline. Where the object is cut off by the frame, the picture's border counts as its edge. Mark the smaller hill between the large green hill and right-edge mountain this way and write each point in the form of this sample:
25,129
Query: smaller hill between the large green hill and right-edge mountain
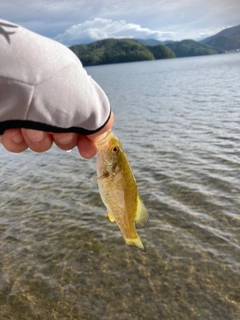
189,48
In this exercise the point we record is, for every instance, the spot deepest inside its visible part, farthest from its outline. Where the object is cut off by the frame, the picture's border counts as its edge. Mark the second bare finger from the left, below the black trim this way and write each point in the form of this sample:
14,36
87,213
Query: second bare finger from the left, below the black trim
38,141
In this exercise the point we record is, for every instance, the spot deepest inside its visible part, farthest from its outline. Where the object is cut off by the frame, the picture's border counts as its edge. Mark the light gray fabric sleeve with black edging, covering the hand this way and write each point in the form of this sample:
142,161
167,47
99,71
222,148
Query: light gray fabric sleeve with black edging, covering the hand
44,86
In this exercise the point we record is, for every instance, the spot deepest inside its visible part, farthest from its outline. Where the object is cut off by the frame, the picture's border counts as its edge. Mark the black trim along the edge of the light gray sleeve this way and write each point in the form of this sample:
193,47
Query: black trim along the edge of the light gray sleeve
26,124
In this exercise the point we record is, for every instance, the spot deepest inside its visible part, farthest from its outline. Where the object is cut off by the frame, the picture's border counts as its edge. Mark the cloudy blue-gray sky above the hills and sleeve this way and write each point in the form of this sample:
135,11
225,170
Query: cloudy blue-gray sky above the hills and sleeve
83,21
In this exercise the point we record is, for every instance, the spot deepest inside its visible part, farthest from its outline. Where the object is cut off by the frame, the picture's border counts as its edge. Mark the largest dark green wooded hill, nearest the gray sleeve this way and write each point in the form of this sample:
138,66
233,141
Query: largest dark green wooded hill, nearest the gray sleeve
119,50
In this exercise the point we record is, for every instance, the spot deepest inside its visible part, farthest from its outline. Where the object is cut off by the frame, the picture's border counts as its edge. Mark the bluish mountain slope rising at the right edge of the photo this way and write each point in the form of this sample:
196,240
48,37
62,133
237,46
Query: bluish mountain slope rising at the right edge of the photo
227,40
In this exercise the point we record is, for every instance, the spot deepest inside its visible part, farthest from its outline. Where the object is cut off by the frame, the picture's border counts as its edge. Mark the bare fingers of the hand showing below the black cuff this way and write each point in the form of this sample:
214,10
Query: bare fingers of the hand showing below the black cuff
18,140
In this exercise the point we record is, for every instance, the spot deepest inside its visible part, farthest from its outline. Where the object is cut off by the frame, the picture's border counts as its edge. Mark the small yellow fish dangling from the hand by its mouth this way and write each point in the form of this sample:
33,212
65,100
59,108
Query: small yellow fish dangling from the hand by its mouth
118,189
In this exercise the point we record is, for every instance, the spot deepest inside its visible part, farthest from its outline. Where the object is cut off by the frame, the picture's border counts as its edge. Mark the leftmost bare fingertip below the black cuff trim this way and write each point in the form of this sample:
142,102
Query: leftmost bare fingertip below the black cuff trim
13,141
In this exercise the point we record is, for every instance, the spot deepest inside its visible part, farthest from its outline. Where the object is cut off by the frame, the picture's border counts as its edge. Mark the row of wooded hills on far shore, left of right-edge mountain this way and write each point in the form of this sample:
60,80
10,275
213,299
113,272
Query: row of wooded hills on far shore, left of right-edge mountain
128,50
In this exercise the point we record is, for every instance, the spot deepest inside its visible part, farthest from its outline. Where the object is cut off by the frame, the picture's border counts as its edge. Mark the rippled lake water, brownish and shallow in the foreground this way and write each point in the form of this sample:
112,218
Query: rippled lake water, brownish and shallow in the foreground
61,258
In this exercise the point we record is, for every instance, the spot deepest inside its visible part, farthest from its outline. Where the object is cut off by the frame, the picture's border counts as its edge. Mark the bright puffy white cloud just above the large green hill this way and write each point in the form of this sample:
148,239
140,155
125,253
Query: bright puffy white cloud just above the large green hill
99,29
